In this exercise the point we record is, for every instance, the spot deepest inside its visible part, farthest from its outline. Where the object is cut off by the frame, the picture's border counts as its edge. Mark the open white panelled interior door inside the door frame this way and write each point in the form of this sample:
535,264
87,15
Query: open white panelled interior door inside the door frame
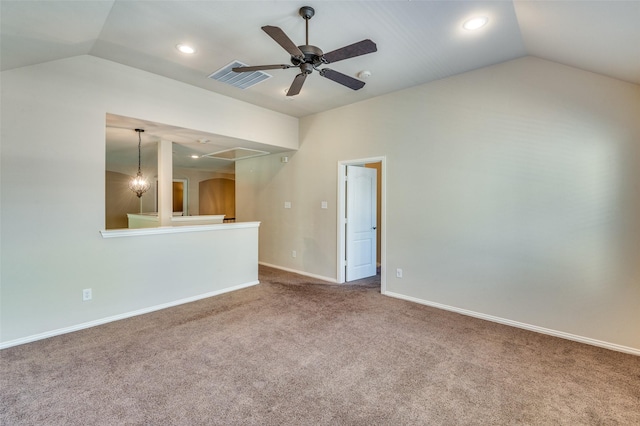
361,223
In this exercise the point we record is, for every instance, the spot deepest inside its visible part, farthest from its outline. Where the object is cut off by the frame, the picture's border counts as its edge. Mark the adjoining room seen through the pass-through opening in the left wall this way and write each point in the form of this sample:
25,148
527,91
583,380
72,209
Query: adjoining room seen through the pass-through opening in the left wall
203,169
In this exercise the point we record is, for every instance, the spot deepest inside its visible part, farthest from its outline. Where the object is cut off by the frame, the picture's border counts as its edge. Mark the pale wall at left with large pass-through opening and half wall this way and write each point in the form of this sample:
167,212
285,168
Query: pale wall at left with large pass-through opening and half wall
53,207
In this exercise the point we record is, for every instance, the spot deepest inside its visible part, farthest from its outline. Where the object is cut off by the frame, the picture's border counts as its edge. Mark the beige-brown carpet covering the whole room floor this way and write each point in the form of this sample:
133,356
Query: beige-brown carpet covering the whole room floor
294,351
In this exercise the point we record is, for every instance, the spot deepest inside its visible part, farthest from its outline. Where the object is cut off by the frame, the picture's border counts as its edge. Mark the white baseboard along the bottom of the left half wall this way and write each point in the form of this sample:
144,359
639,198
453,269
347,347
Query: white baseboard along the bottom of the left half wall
101,321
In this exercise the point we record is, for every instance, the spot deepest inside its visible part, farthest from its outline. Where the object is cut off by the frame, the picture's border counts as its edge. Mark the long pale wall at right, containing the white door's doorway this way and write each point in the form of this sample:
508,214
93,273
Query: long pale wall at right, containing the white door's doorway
512,193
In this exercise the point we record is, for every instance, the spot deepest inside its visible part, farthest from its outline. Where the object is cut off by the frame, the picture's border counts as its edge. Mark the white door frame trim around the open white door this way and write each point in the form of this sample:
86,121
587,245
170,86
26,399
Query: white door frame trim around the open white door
342,208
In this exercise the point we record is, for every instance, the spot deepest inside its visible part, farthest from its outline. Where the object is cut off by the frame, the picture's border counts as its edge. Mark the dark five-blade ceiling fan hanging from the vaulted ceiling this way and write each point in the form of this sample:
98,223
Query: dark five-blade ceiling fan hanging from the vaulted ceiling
309,58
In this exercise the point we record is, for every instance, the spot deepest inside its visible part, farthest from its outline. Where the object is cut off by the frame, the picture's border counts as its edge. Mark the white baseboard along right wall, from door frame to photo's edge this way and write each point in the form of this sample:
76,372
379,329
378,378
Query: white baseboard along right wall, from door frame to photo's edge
542,330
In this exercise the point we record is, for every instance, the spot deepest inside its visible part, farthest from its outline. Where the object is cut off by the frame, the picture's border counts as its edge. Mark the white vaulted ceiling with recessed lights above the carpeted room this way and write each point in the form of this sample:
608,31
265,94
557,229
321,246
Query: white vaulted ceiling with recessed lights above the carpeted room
417,41
